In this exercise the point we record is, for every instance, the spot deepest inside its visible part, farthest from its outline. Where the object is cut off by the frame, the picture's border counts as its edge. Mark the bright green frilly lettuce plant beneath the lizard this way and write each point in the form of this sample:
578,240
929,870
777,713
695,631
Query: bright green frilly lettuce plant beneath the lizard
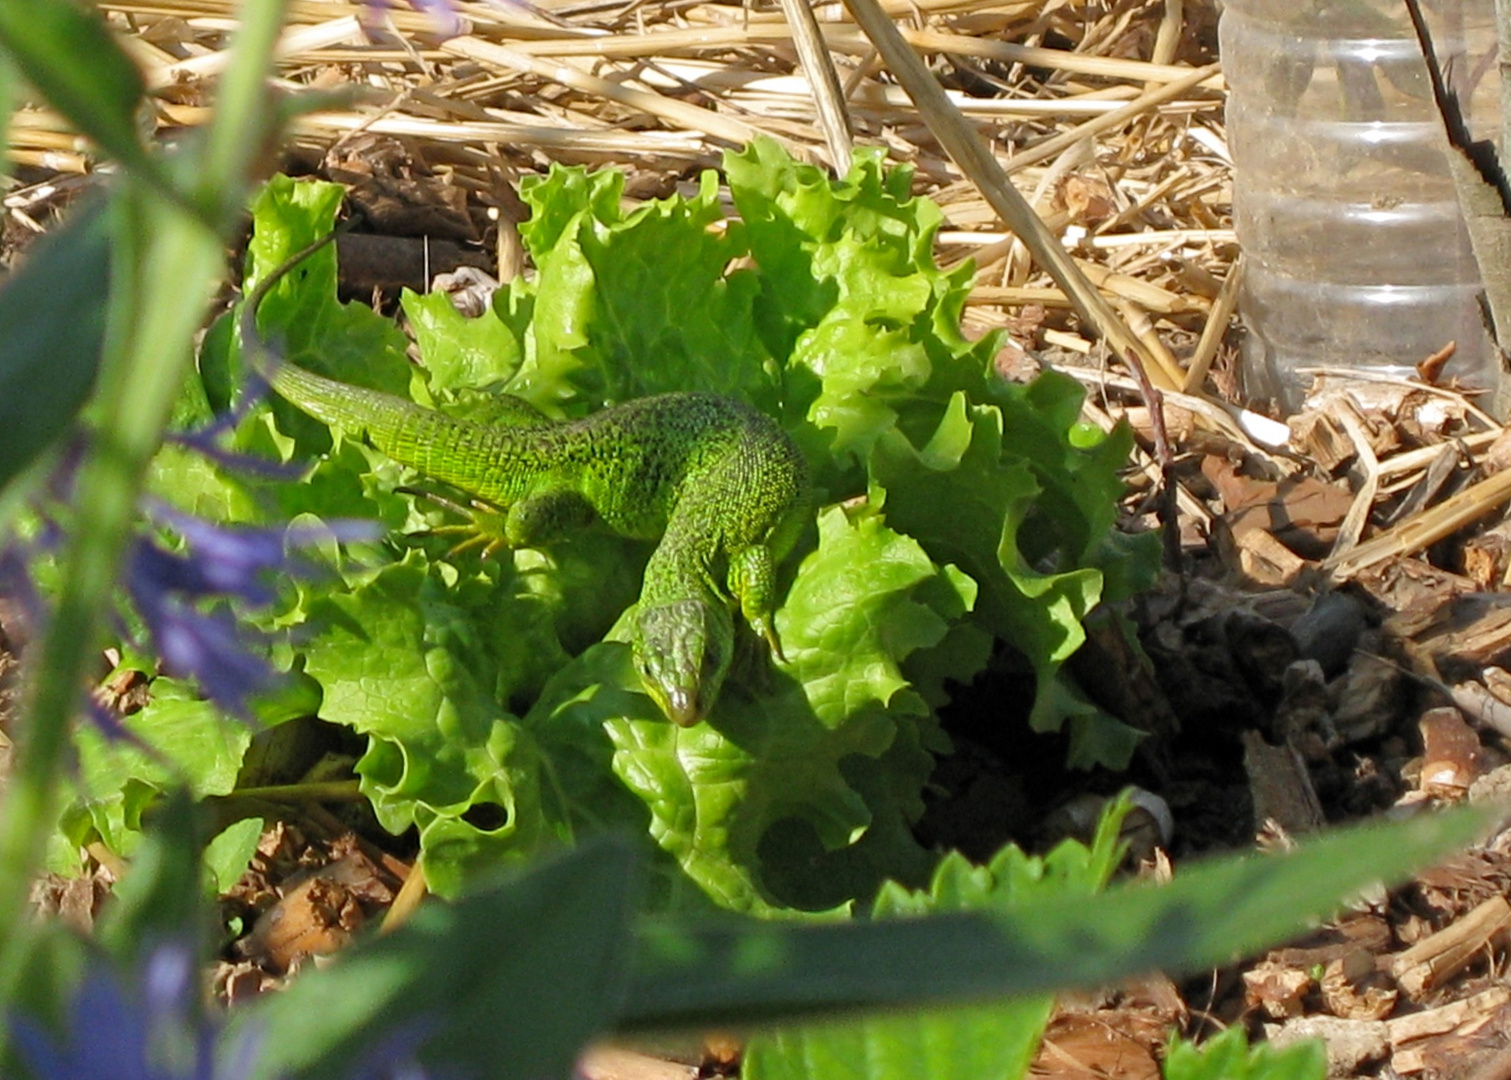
498,697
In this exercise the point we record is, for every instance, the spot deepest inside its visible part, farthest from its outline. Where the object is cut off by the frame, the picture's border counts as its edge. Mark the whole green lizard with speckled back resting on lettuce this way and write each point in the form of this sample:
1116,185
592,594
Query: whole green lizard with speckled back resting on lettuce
718,483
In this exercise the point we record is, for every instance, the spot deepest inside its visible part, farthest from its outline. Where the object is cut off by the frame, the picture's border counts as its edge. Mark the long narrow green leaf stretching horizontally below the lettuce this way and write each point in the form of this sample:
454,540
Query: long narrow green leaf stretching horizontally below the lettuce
1210,915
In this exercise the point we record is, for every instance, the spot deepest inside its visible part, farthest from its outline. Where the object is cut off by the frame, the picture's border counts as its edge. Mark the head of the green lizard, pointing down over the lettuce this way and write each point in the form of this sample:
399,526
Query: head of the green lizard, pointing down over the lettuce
682,652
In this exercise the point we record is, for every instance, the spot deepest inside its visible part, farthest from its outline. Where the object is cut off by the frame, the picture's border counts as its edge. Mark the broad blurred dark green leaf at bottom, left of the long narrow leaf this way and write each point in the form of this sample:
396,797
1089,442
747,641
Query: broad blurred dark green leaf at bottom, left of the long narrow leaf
508,984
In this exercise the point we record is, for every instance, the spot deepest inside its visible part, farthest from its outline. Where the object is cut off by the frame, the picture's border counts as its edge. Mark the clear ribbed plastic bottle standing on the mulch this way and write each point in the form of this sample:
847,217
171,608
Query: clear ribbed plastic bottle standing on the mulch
1356,253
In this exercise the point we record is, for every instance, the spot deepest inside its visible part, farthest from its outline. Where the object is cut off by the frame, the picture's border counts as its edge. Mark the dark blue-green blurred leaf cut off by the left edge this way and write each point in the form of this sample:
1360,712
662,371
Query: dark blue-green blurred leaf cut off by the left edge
52,322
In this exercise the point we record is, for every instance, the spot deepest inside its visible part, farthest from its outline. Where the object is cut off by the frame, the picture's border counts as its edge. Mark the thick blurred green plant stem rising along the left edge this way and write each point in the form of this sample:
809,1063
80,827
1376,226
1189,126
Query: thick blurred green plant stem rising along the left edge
165,262
